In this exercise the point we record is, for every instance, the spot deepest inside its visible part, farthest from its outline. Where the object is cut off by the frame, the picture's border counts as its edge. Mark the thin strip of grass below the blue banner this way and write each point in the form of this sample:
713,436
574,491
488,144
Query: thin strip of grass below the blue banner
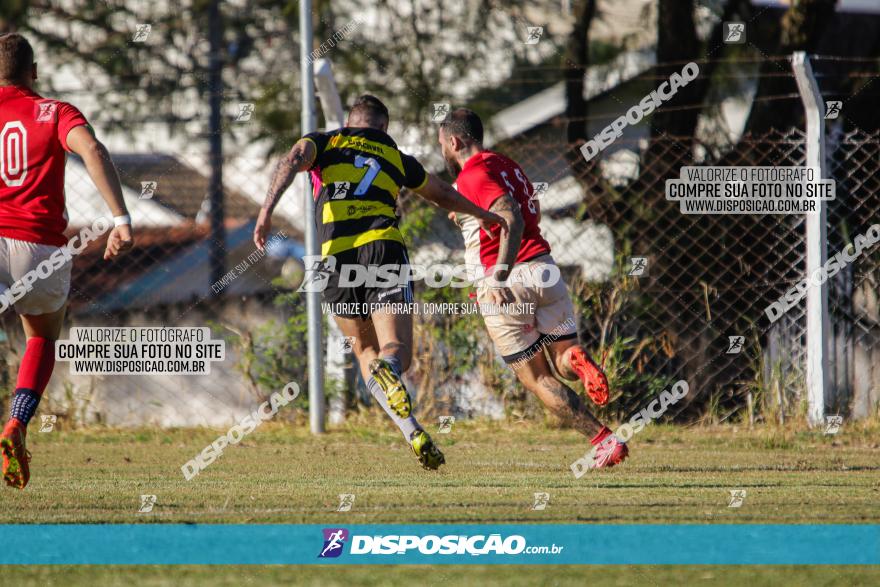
485,576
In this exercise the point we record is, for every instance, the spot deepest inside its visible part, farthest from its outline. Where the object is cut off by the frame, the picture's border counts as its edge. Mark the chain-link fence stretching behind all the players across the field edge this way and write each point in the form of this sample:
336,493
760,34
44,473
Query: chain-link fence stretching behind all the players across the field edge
659,294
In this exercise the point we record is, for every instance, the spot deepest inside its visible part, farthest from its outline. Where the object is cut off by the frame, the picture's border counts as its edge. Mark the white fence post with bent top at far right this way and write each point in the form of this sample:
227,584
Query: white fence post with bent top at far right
818,325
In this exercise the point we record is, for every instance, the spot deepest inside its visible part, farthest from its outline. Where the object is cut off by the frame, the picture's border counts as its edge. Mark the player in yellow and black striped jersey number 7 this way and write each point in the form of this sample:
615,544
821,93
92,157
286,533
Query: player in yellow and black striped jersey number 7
358,173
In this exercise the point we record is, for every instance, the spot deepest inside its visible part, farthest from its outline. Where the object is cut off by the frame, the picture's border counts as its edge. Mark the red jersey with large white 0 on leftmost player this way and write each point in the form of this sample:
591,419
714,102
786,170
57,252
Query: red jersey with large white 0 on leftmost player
33,145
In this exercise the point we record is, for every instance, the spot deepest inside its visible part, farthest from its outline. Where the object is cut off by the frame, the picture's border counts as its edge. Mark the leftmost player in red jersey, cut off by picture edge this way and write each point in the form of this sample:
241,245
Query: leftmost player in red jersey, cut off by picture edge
36,134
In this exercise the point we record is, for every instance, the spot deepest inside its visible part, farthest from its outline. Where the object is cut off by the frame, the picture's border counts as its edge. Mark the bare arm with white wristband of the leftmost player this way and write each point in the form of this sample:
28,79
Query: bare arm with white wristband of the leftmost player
100,168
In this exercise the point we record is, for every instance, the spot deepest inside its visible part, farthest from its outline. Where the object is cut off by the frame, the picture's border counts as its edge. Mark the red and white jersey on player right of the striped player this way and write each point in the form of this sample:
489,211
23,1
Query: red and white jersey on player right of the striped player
484,178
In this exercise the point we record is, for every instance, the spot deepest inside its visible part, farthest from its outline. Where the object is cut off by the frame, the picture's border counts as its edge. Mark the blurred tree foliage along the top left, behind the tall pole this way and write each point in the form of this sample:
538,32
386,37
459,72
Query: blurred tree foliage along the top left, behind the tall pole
408,61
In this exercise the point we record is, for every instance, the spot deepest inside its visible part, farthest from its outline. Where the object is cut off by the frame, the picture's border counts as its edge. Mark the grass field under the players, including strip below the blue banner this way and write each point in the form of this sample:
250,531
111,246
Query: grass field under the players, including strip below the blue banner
283,475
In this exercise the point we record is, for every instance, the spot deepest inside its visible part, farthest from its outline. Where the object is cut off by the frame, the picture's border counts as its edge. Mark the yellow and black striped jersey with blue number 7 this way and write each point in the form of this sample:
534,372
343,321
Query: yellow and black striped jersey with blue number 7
357,174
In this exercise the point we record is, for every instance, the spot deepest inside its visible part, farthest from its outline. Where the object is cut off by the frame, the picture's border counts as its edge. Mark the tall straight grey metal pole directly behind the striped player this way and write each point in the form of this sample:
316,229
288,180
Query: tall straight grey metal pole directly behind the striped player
313,299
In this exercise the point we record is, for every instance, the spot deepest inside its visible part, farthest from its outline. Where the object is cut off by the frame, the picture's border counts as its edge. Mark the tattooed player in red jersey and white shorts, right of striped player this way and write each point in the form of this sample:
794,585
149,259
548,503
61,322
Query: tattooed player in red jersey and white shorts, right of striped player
520,271
